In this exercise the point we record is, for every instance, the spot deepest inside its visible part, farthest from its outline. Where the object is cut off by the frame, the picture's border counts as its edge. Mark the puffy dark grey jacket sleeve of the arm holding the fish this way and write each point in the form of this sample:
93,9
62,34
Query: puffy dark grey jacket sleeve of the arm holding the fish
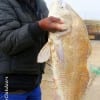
15,38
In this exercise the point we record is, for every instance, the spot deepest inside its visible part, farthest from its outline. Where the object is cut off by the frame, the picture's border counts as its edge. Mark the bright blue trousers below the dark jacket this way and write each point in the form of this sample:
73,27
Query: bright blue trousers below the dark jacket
33,95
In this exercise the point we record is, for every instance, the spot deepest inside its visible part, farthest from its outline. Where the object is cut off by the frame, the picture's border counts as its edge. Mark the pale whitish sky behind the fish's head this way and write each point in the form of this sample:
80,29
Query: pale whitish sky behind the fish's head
87,9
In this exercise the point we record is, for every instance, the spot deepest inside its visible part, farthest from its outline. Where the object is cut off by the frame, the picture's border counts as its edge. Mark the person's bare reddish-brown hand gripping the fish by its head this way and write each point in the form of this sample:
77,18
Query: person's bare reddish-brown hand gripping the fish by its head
52,24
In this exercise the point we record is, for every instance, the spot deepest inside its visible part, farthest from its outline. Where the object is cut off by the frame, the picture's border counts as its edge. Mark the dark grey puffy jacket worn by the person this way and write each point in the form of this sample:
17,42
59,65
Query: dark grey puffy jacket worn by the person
20,36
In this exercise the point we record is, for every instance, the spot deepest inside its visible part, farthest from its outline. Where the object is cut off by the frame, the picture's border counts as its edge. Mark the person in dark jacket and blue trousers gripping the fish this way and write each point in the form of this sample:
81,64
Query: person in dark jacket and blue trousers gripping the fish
24,28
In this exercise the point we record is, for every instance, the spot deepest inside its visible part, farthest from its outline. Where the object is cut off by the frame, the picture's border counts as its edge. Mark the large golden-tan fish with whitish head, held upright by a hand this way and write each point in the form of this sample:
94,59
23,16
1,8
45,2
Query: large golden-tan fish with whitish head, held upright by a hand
68,52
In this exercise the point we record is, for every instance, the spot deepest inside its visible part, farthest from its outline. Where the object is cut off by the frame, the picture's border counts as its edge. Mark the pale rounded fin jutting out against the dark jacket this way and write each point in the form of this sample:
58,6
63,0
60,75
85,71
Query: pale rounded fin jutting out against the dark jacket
44,54
